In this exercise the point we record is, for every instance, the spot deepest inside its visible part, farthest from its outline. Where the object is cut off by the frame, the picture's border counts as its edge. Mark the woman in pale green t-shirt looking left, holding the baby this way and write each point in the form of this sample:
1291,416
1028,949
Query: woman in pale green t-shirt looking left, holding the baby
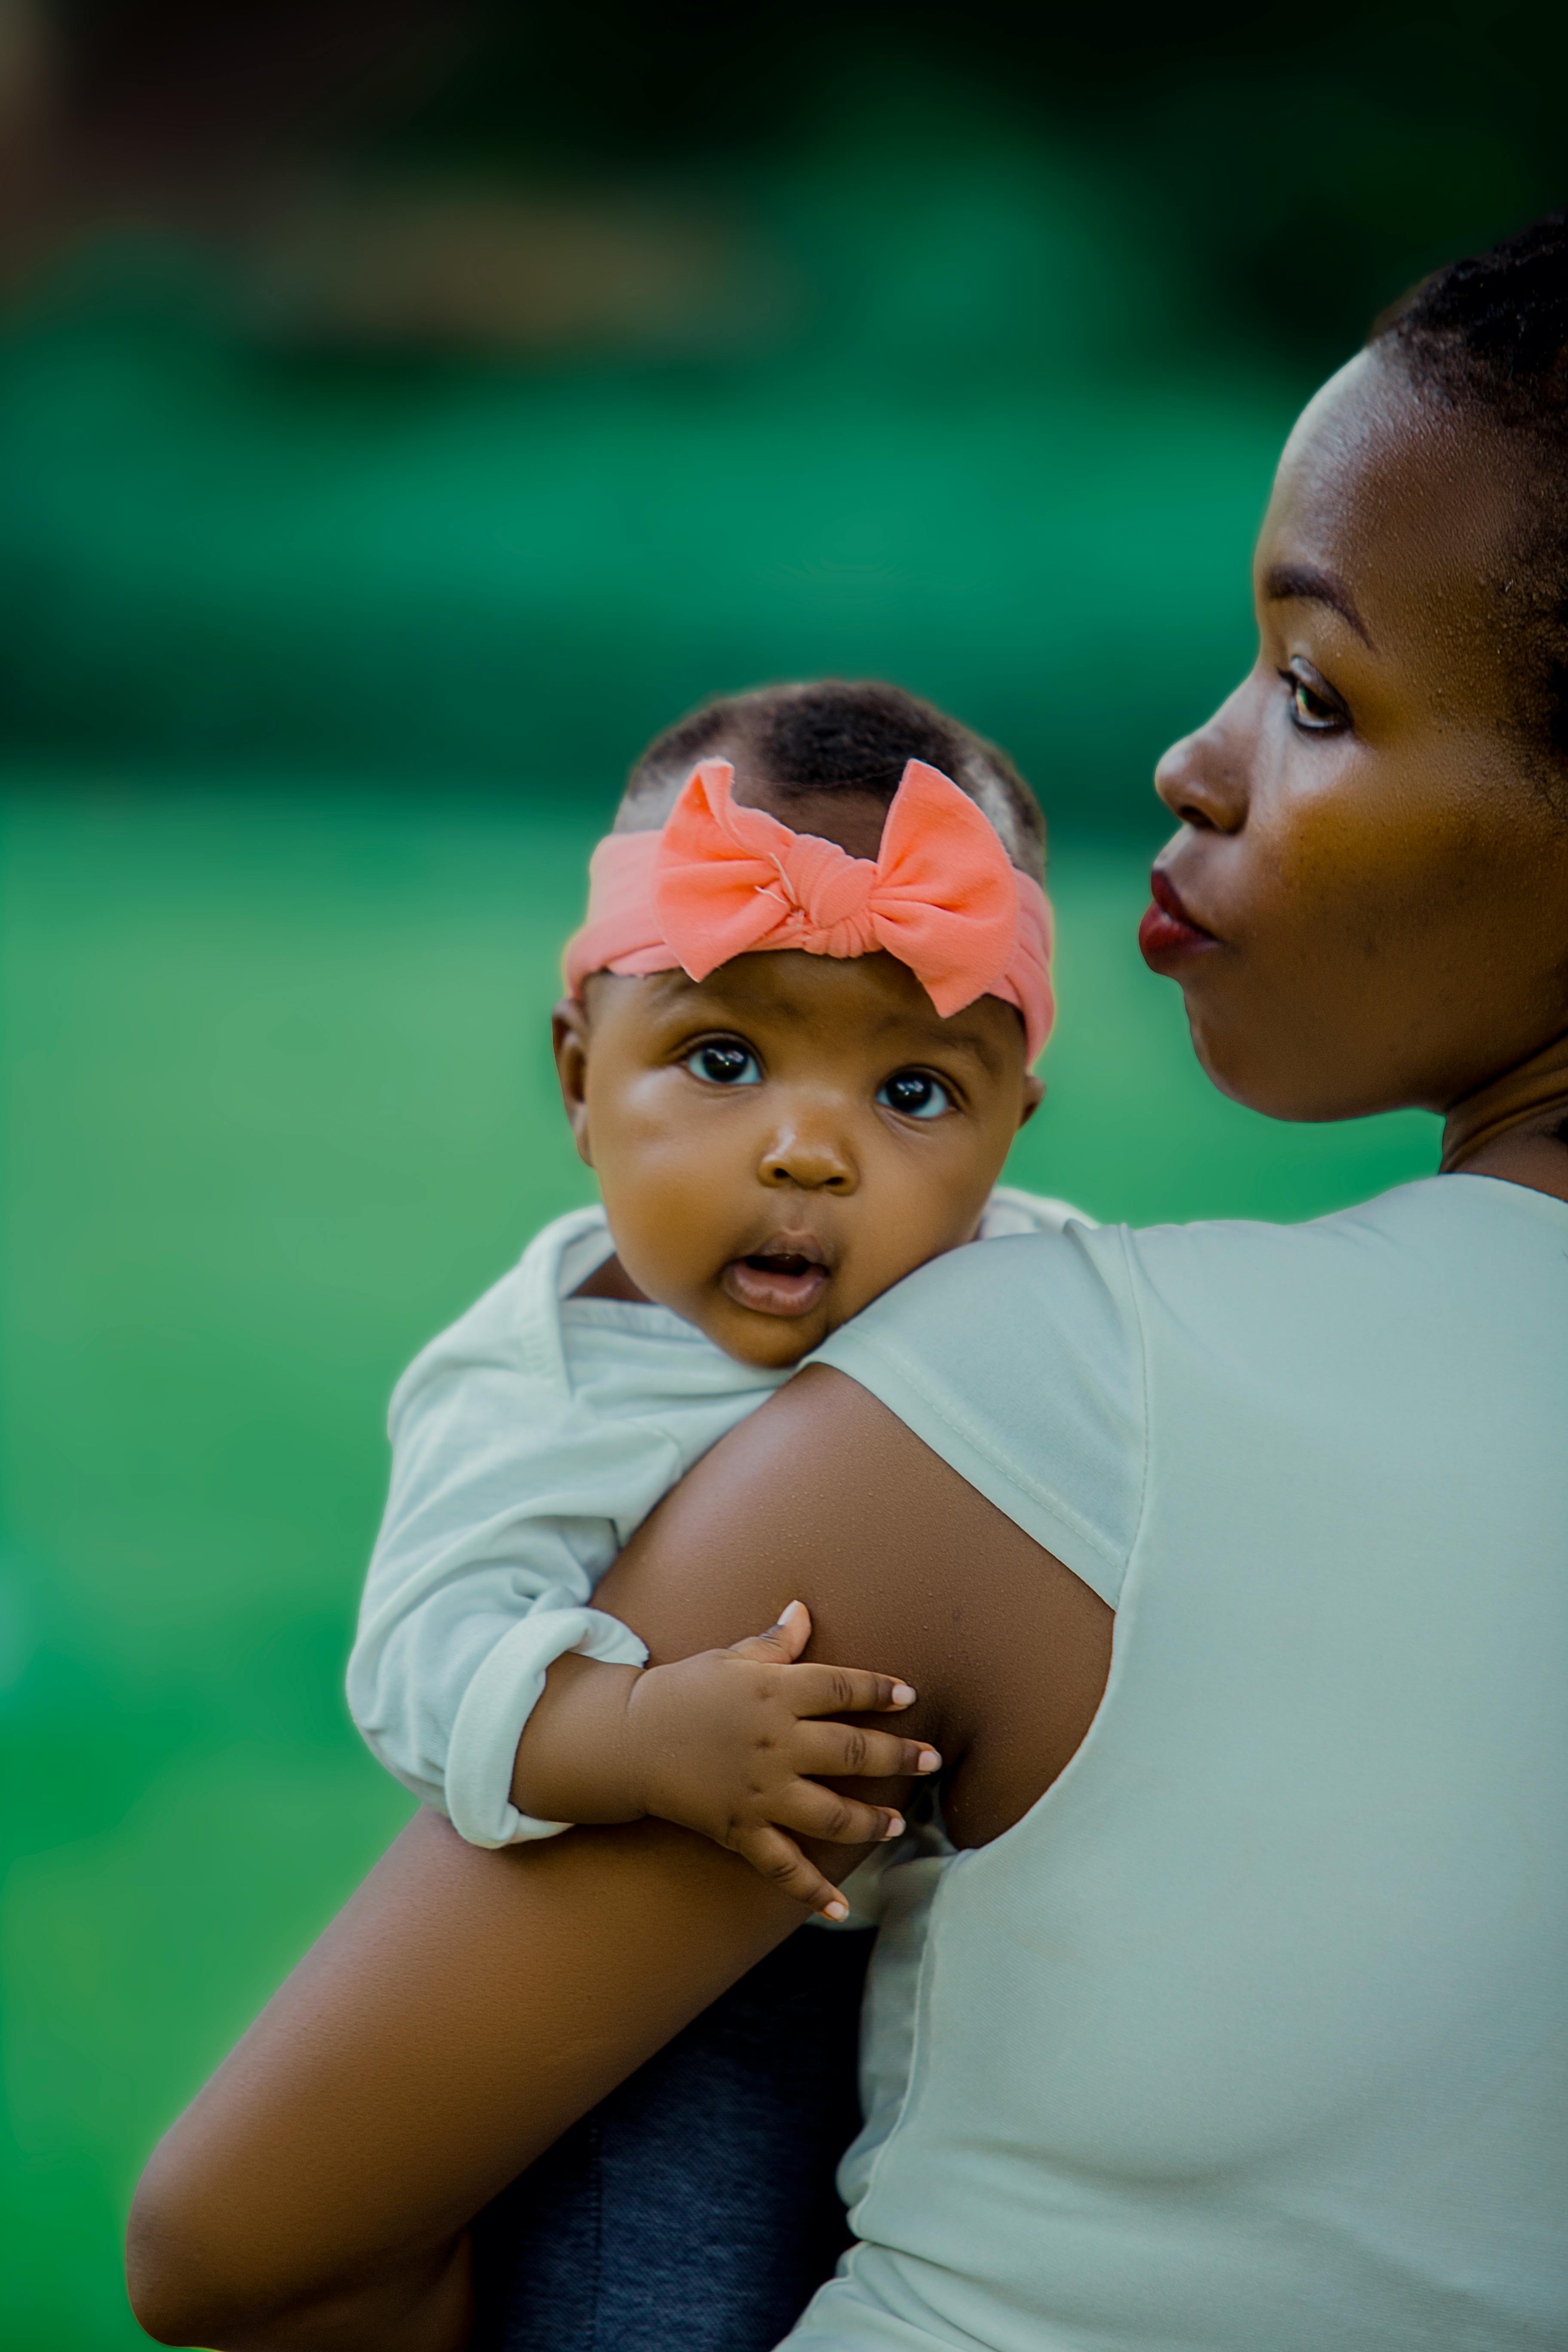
1247,2029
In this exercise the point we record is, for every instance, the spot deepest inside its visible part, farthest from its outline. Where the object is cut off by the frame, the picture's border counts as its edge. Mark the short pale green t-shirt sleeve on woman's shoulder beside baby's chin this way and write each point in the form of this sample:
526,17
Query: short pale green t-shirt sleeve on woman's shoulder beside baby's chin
1021,1365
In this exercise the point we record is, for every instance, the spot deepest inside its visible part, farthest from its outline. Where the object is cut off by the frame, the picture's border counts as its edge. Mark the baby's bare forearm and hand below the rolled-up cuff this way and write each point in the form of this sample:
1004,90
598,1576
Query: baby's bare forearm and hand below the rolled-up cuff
732,1742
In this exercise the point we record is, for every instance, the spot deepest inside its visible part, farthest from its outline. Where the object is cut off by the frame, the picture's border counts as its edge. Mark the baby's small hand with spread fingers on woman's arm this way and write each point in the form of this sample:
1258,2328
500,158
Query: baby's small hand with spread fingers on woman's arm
735,1744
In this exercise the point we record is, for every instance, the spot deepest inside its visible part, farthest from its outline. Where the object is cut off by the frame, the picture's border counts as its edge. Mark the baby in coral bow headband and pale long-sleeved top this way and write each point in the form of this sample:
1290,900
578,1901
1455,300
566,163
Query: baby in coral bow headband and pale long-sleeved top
796,1053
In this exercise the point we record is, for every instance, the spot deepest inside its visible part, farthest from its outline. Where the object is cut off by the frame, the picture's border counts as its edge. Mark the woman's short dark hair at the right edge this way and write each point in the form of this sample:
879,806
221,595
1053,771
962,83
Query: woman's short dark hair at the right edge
1492,335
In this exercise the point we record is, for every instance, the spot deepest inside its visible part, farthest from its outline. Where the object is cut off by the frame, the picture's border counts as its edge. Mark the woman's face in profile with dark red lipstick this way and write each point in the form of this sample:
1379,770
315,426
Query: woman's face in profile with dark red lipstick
1367,902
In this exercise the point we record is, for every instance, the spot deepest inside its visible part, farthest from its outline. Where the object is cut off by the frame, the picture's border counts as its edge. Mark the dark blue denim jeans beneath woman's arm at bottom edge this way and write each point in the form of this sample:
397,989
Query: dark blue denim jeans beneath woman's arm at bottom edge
695,2210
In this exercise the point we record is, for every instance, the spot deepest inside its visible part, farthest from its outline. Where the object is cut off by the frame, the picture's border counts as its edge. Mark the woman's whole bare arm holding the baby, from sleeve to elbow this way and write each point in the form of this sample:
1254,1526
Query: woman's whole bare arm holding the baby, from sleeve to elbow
467,2007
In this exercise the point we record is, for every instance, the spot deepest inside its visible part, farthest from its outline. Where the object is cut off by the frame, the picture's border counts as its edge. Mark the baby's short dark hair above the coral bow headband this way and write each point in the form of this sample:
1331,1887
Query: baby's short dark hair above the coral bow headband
838,737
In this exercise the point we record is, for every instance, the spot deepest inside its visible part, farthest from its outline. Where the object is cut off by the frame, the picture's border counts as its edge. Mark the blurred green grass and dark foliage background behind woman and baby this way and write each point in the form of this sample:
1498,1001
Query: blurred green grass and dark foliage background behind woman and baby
403,413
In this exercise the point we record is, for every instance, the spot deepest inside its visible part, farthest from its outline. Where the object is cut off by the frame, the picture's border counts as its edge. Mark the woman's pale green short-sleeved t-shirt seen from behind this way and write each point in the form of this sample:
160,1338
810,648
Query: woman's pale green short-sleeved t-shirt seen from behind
1254,2033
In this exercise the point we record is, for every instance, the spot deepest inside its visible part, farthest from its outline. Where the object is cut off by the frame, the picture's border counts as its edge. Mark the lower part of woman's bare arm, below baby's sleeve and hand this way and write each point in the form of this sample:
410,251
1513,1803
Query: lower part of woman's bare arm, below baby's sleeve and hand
448,2026
